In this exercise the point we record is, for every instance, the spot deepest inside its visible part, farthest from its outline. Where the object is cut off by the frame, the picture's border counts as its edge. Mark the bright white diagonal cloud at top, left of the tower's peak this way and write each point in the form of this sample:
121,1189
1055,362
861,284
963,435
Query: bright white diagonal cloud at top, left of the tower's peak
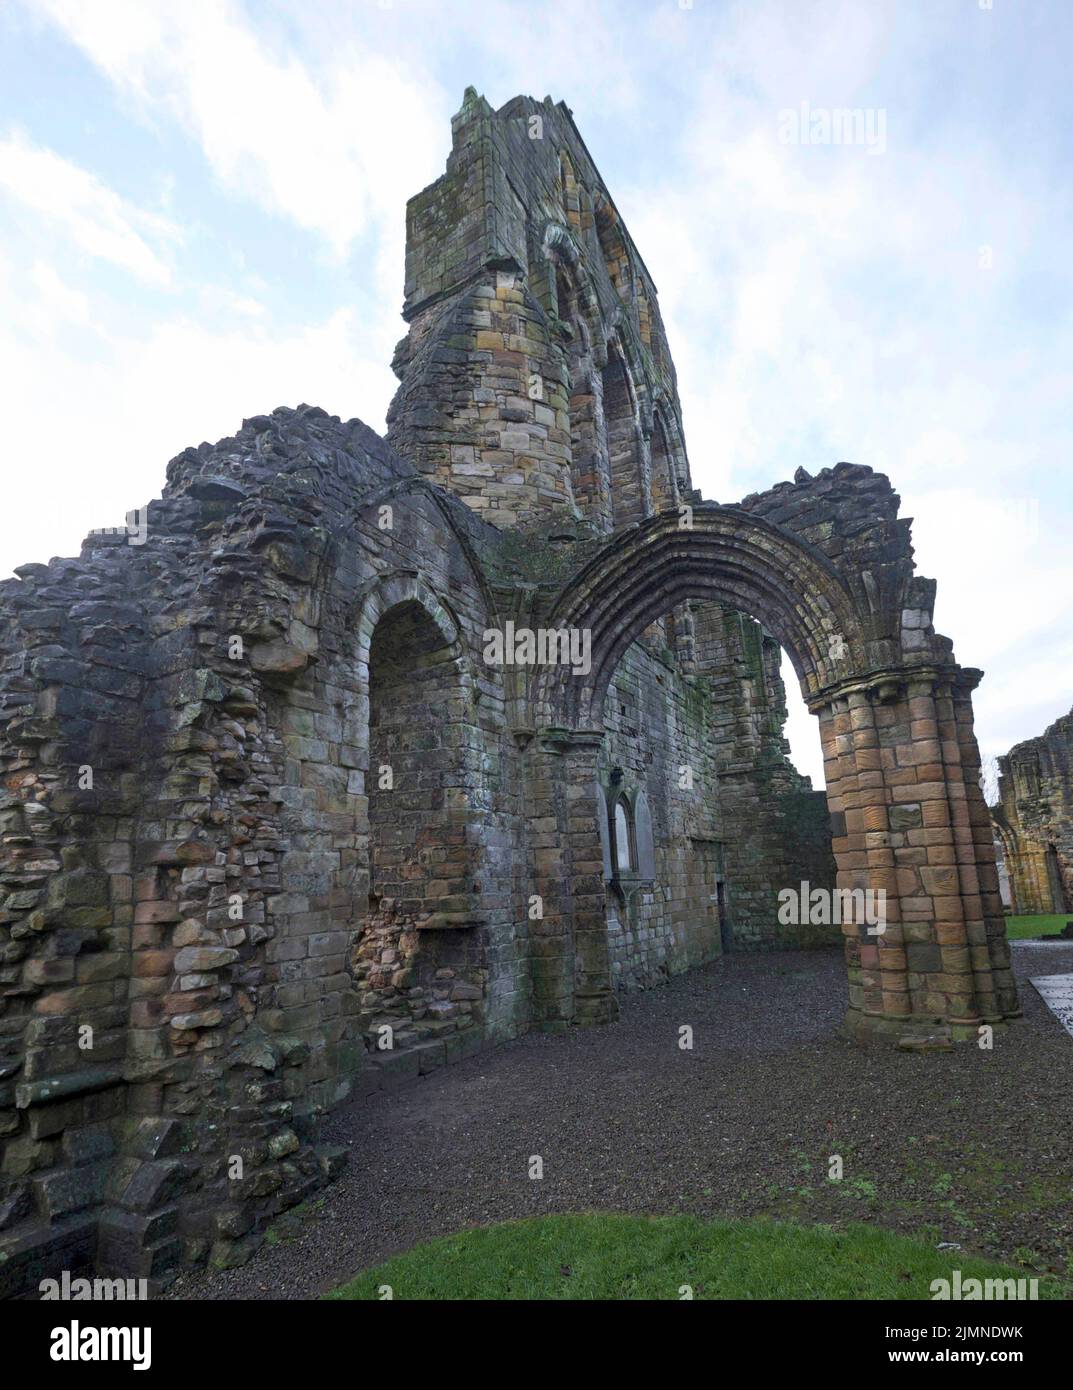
333,151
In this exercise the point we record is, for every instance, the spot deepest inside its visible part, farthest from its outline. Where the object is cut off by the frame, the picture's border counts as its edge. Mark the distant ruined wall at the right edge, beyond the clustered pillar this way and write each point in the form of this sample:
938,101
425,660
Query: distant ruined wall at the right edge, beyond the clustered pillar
1035,819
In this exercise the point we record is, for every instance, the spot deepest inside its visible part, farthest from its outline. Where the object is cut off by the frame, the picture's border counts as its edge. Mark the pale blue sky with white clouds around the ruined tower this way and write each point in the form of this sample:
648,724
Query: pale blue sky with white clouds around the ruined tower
202,218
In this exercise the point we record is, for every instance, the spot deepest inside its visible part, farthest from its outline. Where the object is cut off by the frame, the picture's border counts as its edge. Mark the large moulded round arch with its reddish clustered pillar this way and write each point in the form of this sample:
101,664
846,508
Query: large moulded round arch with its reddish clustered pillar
910,822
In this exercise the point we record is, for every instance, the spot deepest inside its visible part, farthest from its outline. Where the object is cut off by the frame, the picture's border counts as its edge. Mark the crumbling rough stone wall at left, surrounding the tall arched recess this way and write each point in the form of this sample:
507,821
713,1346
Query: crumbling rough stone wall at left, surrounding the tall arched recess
184,754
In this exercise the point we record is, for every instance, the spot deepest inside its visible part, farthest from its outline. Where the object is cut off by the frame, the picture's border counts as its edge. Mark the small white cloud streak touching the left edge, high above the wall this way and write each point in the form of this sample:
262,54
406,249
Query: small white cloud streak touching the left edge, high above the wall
95,218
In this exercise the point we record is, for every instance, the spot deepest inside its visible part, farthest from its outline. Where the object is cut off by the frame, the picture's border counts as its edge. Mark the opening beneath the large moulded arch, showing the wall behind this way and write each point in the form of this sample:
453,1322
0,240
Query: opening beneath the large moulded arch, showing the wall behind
732,819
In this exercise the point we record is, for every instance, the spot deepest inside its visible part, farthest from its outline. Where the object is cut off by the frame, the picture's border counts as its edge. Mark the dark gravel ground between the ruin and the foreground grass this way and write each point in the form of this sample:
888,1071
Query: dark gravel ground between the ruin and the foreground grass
975,1147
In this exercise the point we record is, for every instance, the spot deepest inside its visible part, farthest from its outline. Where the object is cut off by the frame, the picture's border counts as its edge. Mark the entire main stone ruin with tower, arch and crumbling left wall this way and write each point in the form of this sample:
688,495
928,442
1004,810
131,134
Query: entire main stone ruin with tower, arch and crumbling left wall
268,806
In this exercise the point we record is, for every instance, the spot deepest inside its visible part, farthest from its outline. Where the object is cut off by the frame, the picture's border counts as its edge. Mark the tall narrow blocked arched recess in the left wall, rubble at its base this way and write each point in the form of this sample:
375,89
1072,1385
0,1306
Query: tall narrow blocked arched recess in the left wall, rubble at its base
416,894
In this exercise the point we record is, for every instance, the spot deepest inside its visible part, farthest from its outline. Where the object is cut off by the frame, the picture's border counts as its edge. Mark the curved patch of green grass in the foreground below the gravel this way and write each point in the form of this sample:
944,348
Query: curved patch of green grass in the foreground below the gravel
597,1256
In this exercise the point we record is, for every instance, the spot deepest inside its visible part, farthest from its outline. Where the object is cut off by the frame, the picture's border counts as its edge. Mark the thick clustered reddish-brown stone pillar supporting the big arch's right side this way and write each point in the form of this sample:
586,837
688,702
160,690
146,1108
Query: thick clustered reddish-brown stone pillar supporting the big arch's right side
910,819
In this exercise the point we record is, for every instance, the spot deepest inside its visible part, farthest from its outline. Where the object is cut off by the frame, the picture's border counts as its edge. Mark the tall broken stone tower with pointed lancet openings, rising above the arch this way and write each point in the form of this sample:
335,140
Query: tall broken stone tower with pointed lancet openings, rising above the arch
536,376
